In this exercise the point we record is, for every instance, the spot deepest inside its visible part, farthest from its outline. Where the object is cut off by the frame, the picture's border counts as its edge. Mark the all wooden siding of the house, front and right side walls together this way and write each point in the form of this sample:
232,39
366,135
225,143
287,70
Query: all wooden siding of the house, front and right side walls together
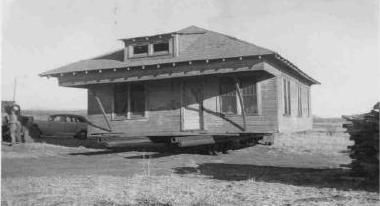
164,106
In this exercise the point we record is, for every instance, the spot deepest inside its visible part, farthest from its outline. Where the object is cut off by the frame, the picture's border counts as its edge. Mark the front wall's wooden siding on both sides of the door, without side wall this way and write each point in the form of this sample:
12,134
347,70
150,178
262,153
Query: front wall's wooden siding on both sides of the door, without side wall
164,109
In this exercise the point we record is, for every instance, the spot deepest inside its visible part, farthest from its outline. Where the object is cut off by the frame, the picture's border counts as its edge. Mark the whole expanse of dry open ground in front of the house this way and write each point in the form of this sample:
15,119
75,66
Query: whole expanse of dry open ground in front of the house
300,169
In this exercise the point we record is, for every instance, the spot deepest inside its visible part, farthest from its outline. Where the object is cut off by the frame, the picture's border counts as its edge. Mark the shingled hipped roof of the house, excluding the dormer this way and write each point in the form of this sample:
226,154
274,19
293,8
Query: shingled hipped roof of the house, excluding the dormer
202,44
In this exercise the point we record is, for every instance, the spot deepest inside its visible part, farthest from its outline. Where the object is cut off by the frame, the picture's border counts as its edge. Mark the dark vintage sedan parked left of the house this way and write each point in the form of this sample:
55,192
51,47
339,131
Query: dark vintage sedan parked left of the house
61,125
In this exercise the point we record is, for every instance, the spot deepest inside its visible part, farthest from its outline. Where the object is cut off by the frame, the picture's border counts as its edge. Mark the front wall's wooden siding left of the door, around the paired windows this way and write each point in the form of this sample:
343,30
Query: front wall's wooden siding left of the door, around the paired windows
163,107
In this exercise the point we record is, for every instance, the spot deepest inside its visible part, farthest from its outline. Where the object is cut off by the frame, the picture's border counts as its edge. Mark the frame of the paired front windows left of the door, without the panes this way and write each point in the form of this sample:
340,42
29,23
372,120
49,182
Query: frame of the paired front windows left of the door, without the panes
129,115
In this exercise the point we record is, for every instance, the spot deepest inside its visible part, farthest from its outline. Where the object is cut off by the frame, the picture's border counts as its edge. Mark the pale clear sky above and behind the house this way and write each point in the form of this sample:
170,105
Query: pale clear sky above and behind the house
334,41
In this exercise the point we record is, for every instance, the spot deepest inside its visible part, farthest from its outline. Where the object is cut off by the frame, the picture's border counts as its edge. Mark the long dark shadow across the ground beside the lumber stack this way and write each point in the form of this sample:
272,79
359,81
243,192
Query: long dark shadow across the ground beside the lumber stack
329,177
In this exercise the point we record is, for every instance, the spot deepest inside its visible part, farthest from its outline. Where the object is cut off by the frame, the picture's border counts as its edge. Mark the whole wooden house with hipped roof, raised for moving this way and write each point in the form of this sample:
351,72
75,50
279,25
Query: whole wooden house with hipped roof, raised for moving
192,82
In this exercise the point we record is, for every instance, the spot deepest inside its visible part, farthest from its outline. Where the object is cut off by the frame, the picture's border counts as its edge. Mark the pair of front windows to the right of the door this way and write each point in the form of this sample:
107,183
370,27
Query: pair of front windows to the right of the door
229,100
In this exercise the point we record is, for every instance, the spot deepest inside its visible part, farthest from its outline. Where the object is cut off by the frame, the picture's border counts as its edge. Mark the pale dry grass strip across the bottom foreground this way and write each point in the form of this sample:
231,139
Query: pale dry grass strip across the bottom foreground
170,190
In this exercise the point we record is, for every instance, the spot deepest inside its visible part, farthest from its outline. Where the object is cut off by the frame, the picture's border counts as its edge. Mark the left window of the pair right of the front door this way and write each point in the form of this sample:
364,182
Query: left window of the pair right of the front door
228,98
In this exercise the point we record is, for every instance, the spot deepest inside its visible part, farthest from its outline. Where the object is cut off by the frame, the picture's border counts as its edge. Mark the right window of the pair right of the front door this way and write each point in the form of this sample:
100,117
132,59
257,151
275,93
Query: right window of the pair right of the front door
249,93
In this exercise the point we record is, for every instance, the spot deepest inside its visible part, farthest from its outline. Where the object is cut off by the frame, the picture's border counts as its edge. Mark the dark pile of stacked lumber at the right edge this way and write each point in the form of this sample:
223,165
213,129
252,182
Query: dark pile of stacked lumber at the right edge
364,131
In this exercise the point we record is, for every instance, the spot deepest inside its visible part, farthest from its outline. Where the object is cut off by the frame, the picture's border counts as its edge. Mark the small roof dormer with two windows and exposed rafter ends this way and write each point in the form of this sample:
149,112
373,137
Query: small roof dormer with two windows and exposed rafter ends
151,46
